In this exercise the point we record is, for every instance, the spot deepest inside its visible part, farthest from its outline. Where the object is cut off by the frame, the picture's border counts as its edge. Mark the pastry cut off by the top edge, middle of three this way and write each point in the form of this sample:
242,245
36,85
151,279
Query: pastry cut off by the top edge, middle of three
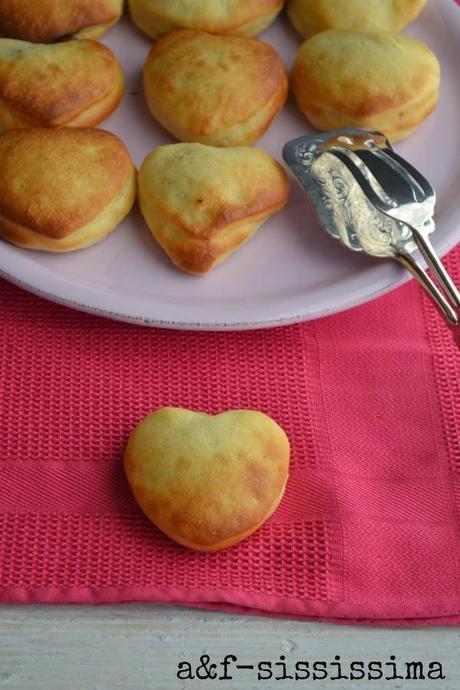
236,17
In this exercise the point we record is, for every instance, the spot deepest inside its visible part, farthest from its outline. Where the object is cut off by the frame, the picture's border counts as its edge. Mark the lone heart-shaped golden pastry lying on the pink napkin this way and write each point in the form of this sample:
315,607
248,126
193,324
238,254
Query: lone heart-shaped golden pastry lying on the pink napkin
208,482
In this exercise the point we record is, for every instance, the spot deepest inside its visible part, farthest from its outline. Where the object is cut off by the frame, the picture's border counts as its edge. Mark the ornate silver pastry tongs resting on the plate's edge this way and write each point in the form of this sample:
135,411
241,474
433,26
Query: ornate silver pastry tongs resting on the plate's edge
373,200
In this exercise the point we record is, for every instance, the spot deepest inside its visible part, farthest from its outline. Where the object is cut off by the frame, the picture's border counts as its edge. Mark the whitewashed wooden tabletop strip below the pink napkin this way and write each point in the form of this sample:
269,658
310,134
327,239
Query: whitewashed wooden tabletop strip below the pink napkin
140,647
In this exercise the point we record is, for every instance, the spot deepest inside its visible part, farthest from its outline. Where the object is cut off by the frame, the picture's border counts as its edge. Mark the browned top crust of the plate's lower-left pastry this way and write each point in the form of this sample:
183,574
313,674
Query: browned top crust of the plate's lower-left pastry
55,181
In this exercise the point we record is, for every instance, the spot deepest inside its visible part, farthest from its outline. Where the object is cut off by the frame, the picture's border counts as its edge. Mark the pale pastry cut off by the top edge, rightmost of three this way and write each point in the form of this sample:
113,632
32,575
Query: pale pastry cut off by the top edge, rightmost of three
311,16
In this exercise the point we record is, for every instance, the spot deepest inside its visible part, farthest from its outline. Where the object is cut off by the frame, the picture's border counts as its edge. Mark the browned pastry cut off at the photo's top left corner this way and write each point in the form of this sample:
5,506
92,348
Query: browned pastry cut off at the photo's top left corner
49,21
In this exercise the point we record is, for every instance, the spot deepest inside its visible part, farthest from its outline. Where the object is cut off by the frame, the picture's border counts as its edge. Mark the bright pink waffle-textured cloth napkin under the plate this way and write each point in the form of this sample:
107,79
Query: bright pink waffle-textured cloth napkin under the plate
369,527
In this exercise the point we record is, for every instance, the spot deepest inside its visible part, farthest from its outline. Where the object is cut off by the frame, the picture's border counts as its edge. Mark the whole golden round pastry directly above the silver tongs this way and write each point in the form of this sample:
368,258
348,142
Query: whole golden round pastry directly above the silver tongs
383,81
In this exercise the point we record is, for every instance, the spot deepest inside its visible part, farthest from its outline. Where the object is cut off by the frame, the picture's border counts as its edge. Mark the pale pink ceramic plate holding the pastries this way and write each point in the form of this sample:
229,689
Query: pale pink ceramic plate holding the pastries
291,270
